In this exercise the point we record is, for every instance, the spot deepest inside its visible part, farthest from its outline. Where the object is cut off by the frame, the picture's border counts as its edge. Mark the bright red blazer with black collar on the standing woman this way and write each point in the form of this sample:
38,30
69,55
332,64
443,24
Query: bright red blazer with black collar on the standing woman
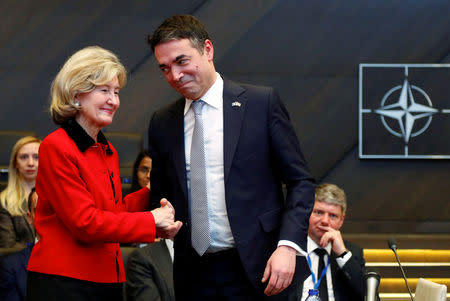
80,215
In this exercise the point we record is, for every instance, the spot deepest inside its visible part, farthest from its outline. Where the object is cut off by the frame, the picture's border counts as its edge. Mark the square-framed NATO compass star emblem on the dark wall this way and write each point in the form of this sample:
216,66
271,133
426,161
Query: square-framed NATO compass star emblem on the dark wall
402,111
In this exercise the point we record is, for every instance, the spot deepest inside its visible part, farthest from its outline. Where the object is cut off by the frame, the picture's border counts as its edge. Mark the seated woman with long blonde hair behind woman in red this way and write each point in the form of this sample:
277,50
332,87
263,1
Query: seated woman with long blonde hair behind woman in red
15,231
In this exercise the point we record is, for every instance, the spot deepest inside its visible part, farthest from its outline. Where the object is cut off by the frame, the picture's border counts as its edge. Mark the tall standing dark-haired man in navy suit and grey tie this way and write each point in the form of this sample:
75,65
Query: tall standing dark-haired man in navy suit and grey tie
222,168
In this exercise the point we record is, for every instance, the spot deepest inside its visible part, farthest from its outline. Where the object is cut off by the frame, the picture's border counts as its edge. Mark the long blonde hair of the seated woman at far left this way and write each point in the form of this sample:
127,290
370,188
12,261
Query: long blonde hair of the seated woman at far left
14,198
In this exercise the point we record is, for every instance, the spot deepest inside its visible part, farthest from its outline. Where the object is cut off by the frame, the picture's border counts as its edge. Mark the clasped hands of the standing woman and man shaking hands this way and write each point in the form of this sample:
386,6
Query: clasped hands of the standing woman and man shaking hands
166,226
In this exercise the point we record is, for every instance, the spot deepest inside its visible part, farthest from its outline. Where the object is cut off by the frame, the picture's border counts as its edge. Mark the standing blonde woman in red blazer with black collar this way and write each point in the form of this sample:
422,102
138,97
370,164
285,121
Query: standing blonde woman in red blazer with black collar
81,216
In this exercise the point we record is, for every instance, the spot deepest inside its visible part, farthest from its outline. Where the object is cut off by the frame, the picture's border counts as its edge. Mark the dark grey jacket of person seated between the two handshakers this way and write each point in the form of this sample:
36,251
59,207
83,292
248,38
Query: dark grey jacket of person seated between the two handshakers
150,274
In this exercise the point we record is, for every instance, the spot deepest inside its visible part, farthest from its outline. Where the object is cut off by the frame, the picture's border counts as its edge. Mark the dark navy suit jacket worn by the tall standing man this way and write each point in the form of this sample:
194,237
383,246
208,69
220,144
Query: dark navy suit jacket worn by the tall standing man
261,151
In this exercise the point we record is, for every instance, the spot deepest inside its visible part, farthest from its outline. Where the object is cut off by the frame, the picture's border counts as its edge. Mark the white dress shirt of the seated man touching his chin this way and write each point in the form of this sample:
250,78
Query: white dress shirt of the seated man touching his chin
308,283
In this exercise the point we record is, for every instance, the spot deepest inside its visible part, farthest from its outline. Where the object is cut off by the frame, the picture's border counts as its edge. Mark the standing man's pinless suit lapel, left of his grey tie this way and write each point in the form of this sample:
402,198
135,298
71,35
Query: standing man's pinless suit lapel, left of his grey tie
179,158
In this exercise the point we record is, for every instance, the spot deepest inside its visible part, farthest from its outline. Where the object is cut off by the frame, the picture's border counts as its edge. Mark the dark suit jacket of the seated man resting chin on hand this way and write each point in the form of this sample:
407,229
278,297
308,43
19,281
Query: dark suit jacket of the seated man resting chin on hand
348,282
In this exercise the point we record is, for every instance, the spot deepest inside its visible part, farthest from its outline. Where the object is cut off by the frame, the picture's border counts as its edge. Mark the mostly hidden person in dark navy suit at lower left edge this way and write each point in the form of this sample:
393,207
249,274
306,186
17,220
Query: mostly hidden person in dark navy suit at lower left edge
13,268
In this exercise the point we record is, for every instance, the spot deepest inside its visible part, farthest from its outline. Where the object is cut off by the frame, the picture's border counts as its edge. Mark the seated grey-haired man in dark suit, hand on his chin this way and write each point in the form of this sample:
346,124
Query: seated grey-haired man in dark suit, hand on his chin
344,278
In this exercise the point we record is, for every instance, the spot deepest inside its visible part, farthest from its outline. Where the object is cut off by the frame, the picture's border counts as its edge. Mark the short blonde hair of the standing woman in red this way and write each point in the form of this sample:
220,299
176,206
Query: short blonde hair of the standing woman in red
82,72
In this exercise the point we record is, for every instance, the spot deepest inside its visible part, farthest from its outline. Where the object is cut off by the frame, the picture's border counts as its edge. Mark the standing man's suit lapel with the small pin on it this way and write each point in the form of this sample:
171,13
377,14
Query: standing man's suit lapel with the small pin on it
233,114
